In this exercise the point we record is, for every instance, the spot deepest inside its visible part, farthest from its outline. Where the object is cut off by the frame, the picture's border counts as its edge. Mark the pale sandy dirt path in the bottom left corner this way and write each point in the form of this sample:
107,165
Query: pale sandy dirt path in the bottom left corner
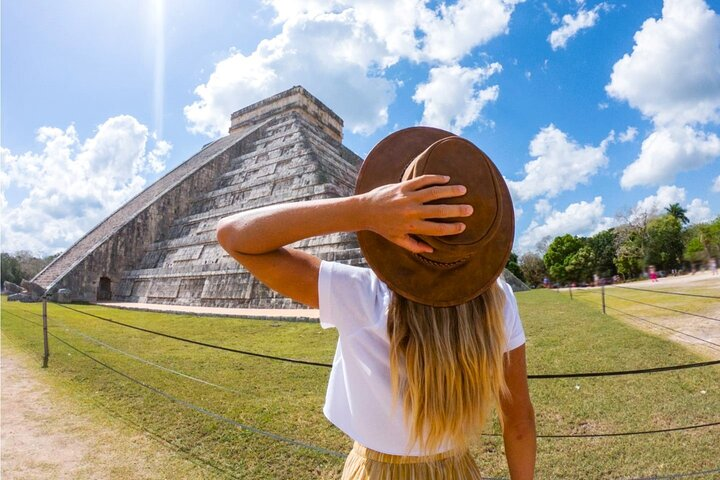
45,435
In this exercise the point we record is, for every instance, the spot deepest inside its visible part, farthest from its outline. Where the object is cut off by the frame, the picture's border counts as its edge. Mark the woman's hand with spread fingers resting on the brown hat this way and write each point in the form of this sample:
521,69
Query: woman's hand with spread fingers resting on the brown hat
399,211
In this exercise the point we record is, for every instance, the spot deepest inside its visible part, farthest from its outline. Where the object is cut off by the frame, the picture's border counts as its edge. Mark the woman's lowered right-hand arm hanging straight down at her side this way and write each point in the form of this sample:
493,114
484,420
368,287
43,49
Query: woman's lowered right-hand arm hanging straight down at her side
518,418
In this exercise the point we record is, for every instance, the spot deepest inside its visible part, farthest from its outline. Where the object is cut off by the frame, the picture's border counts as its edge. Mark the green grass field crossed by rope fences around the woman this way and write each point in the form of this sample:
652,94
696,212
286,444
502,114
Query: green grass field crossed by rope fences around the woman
563,336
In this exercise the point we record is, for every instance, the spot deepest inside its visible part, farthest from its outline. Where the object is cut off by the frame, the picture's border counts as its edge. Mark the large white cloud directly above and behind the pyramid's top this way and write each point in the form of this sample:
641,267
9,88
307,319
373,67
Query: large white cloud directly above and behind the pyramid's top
340,50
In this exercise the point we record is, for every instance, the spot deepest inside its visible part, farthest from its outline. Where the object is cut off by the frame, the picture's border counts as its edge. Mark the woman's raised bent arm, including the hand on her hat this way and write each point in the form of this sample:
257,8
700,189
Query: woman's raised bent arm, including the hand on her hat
257,238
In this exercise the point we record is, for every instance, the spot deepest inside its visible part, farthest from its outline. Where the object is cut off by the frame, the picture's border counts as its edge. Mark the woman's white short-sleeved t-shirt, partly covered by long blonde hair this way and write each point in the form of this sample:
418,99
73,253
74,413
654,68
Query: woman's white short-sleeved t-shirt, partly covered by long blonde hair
359,397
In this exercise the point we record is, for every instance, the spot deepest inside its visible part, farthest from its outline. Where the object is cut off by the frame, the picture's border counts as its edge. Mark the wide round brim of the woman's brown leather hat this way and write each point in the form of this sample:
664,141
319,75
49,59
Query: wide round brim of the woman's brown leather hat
403,271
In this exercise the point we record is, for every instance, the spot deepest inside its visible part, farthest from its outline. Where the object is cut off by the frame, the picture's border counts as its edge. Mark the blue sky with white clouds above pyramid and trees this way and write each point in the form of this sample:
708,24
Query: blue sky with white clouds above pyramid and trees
592,111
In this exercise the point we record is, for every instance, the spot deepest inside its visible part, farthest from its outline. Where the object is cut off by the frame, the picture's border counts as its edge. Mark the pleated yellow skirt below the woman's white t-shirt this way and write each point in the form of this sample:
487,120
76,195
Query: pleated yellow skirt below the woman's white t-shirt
366,464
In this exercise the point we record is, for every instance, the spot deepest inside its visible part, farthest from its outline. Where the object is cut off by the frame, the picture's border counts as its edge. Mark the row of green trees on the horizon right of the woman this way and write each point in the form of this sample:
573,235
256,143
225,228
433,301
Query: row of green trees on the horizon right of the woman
665,241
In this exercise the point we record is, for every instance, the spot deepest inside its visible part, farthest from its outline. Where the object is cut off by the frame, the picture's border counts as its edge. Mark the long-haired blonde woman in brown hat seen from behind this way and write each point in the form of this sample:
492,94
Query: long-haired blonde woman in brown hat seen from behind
429,337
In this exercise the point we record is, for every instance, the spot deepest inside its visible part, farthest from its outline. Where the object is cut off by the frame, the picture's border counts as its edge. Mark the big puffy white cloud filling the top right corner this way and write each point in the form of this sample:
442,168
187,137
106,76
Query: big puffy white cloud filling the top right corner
673,72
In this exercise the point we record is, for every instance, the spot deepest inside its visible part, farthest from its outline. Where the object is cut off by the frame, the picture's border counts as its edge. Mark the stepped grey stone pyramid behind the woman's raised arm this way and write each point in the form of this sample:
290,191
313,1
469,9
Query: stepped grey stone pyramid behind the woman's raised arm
160,247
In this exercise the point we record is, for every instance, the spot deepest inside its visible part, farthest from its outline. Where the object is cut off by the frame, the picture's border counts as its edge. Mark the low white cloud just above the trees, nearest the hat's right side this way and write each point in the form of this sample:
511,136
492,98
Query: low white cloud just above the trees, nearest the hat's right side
582,218
